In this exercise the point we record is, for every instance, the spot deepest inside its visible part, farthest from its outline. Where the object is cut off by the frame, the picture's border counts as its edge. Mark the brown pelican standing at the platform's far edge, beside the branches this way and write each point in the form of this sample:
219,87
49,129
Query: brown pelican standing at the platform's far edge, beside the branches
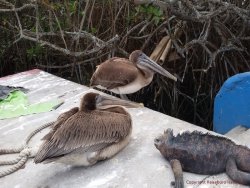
125,76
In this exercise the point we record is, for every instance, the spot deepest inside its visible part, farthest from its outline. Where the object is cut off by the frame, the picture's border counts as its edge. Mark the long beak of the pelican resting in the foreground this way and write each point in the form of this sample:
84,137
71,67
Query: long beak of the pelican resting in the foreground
103,102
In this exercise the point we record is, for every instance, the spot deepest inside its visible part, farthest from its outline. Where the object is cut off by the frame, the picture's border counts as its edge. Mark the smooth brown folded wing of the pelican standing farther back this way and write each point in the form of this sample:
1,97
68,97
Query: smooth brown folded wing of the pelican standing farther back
115,72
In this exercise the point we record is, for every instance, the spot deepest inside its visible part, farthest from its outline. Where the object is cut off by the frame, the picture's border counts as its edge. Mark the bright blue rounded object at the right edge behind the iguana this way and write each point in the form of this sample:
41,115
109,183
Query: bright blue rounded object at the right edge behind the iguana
232,104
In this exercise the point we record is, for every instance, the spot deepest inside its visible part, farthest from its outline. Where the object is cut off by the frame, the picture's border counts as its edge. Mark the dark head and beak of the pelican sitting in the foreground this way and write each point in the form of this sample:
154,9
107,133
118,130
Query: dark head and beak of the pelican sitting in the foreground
92,101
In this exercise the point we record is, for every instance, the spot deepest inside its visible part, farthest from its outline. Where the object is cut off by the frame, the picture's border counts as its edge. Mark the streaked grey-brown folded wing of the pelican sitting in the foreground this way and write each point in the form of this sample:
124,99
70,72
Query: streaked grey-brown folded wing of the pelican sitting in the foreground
85,132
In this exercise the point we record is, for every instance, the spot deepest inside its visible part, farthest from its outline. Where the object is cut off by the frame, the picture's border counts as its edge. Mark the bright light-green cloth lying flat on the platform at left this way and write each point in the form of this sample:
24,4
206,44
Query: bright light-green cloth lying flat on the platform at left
16,104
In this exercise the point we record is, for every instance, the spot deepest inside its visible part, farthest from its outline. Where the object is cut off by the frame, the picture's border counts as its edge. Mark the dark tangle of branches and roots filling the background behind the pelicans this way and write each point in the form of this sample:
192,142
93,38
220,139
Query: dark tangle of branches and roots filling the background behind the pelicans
69,38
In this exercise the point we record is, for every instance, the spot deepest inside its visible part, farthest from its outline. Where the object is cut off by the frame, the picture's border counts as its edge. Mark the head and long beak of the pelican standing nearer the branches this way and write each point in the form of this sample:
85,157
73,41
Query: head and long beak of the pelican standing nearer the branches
143,62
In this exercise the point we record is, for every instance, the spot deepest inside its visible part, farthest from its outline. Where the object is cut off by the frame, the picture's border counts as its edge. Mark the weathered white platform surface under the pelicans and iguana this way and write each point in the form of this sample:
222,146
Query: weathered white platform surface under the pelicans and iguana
140,164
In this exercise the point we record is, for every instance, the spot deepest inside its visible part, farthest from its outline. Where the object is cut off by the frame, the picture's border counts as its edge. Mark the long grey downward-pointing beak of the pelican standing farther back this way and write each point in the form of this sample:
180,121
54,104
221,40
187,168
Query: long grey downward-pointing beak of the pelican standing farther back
145,61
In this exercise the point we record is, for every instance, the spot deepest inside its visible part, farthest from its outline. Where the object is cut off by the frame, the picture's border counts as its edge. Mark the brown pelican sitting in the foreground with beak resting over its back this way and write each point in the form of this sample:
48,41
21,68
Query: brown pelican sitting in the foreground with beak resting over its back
95,131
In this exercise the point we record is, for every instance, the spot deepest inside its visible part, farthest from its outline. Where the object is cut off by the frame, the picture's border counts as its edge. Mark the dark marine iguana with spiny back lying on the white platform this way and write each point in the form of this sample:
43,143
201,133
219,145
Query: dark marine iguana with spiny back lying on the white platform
203,153
